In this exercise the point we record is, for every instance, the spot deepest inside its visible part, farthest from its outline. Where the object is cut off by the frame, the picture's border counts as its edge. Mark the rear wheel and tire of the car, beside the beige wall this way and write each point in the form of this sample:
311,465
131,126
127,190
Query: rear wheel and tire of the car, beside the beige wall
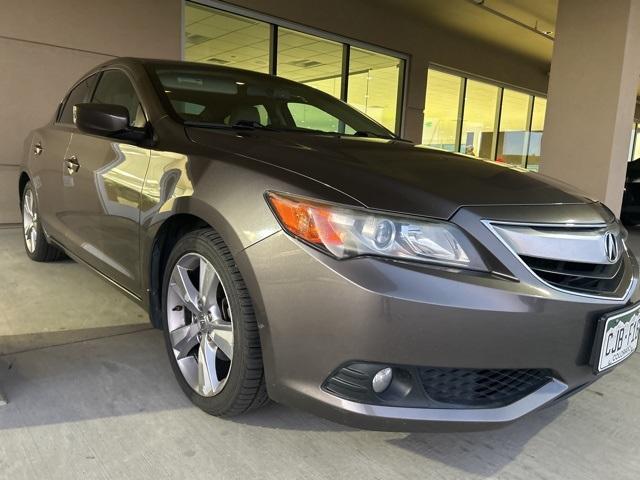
35,242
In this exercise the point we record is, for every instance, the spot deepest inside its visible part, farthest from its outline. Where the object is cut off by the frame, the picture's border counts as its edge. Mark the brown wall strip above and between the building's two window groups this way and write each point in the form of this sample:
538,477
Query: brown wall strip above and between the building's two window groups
385,27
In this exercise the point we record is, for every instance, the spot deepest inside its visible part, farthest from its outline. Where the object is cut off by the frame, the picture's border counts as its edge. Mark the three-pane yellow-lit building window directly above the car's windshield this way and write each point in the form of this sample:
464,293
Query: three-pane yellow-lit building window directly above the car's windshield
218,37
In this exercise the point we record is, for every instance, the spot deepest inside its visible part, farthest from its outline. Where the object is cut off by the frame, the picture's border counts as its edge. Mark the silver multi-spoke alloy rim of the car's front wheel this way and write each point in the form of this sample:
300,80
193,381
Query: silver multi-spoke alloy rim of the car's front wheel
200,324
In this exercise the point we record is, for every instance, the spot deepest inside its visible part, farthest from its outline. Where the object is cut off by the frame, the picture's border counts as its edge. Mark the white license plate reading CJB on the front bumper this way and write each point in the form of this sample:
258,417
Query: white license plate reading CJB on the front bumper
617,338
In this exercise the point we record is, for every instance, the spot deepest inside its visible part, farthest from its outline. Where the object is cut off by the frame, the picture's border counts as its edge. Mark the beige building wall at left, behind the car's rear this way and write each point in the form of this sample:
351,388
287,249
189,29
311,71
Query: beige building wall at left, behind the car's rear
45,46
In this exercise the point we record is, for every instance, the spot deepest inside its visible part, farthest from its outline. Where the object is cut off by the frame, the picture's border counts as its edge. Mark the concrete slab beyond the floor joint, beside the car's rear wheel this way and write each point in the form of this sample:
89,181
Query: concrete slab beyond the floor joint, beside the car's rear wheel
44,304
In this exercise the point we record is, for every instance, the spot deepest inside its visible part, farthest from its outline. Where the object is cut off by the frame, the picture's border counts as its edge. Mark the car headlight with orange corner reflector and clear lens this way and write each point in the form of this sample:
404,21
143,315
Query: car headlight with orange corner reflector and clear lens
348,232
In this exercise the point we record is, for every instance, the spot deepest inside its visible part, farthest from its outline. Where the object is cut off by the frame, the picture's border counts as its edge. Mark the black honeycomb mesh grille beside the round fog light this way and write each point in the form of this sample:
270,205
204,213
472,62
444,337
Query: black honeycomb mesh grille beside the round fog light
481,388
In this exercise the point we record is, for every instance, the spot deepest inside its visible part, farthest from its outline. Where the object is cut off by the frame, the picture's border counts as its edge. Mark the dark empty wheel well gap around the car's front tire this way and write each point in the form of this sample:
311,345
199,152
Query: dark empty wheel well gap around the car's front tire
168,235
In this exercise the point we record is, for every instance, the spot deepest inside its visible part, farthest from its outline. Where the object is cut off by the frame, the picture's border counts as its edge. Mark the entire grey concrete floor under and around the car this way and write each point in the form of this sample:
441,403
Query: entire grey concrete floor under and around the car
91,395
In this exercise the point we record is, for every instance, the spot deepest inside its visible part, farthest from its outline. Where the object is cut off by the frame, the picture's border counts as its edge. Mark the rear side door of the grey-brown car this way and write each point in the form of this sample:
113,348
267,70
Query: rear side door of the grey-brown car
49,146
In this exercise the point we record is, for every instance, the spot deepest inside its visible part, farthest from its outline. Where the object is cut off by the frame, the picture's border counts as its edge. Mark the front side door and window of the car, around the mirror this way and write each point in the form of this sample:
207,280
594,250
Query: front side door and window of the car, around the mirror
102,192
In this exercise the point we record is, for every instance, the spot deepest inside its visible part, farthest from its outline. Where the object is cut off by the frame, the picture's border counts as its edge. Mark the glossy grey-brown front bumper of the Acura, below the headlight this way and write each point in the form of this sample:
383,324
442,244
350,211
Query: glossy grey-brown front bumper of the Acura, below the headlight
316,313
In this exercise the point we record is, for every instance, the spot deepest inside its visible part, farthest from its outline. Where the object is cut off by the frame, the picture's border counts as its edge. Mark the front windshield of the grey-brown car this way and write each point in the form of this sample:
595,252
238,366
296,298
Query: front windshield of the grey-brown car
215,98
